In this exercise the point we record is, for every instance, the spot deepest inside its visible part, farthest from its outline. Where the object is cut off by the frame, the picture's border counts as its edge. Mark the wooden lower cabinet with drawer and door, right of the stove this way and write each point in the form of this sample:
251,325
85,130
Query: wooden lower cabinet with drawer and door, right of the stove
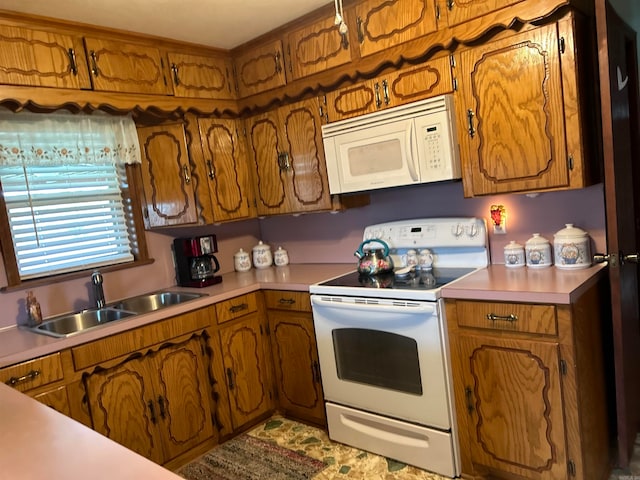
529,388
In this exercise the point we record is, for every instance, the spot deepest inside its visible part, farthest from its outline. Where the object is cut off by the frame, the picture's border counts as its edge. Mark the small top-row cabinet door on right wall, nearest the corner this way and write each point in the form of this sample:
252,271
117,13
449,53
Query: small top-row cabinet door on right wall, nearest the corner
260,68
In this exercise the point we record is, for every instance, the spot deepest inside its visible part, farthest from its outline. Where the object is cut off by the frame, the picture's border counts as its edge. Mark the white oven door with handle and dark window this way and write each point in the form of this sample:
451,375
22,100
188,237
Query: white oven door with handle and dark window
384,356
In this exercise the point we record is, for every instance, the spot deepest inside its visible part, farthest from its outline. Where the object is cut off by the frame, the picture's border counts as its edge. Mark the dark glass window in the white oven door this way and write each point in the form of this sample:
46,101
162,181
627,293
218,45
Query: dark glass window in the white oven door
377,358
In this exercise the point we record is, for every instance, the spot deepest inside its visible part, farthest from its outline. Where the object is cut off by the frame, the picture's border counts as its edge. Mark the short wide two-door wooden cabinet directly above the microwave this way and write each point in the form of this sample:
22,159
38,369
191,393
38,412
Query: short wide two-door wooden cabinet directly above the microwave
396,88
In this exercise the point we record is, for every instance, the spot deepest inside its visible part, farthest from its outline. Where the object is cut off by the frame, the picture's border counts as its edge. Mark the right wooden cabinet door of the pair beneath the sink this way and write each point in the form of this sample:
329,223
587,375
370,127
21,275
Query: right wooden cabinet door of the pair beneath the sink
183,398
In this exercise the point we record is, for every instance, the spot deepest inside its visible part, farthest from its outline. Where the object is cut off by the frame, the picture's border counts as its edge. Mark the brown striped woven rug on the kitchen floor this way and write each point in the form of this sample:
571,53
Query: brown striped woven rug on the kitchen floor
251,458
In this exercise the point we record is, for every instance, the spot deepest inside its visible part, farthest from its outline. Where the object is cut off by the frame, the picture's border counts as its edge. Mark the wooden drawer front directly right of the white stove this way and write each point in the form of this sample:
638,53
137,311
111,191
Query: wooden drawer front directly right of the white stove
515,317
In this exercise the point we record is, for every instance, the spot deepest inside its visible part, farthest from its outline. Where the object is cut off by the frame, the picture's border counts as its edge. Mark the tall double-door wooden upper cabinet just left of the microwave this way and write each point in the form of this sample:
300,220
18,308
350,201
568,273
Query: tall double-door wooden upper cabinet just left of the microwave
287,156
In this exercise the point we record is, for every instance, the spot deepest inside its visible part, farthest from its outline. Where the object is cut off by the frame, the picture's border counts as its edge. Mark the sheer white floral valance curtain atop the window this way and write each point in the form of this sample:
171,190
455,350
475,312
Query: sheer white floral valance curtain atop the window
66,139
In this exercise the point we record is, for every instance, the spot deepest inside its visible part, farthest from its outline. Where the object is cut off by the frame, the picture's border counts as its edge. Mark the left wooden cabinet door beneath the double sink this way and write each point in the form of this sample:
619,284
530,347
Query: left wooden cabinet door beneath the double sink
121,401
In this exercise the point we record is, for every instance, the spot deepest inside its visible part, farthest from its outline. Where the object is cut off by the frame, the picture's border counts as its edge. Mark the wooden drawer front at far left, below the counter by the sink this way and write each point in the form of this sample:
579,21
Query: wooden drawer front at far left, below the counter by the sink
33,373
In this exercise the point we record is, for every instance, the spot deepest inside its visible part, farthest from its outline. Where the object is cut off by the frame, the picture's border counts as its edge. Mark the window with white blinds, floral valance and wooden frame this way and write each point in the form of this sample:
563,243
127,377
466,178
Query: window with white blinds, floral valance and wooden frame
66,205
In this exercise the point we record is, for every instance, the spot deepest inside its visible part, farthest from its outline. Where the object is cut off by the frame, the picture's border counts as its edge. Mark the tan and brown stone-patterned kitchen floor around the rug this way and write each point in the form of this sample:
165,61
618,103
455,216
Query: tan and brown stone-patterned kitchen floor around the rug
351,463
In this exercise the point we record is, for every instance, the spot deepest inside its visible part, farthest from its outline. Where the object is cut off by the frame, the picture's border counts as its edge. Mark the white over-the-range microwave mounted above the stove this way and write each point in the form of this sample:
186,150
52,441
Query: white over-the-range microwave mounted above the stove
405,145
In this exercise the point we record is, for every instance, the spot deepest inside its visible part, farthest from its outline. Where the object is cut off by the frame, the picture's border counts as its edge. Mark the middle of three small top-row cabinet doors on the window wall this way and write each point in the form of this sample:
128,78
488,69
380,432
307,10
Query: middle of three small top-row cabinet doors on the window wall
127,67
